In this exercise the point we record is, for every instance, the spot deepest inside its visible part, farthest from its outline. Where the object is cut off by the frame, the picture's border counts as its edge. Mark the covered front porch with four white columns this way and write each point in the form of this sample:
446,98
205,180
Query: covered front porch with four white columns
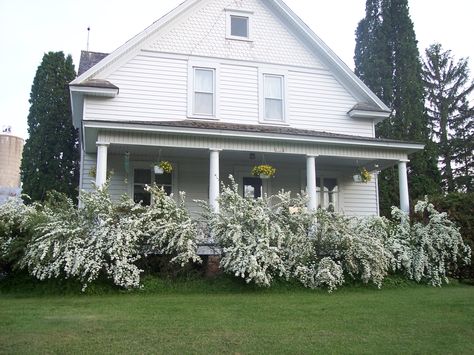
200,164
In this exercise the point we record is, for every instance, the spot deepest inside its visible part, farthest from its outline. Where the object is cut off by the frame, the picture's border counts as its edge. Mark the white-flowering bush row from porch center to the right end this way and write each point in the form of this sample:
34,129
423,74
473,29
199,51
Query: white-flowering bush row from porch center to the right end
277,236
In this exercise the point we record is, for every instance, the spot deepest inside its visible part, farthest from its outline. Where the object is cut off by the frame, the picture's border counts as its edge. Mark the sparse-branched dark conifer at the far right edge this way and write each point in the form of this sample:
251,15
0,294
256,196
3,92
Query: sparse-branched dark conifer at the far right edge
450,115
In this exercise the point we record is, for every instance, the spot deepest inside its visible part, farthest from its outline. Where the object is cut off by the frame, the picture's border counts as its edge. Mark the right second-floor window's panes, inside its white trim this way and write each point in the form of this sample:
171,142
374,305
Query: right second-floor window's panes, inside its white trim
273,98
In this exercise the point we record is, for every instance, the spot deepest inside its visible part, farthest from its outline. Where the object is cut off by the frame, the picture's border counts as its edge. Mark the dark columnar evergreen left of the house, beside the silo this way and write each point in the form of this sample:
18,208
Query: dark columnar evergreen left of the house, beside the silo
51,153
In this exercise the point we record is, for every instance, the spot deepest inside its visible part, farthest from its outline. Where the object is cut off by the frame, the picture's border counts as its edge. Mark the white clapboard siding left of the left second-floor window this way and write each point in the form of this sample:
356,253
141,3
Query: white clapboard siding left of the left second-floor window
151,89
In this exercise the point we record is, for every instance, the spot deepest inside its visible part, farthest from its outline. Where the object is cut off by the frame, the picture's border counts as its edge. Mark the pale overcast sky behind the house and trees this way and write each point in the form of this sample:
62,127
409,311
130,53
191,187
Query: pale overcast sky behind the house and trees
29,28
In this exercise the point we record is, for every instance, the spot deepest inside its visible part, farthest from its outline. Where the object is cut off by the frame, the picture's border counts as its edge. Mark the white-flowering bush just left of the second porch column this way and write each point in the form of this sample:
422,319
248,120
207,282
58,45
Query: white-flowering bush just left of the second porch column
169,229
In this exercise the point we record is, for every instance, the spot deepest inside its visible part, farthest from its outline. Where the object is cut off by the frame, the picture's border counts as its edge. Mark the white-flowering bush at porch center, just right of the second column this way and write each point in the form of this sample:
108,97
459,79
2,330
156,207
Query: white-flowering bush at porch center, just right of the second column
250,239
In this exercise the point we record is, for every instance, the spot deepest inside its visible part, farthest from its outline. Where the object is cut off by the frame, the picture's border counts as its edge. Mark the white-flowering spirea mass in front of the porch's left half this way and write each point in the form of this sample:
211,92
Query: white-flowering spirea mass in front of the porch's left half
104,237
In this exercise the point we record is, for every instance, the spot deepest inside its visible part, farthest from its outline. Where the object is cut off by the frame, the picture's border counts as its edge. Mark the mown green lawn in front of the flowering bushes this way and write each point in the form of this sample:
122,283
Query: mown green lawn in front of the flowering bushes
353,320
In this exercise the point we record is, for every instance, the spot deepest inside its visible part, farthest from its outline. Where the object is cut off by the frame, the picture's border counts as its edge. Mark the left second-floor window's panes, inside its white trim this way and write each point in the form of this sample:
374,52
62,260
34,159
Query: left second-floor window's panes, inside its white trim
204,92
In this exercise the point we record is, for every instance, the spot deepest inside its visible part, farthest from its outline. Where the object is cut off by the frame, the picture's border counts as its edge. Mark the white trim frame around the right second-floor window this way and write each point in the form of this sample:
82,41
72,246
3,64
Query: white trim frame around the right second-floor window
261,96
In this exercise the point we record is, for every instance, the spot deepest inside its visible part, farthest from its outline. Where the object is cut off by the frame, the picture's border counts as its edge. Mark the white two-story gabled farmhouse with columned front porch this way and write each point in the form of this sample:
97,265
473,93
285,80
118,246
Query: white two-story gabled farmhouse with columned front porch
218,86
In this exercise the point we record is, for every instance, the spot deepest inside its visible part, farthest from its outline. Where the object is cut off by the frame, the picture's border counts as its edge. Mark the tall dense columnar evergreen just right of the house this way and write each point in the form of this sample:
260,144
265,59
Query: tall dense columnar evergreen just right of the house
387,60
